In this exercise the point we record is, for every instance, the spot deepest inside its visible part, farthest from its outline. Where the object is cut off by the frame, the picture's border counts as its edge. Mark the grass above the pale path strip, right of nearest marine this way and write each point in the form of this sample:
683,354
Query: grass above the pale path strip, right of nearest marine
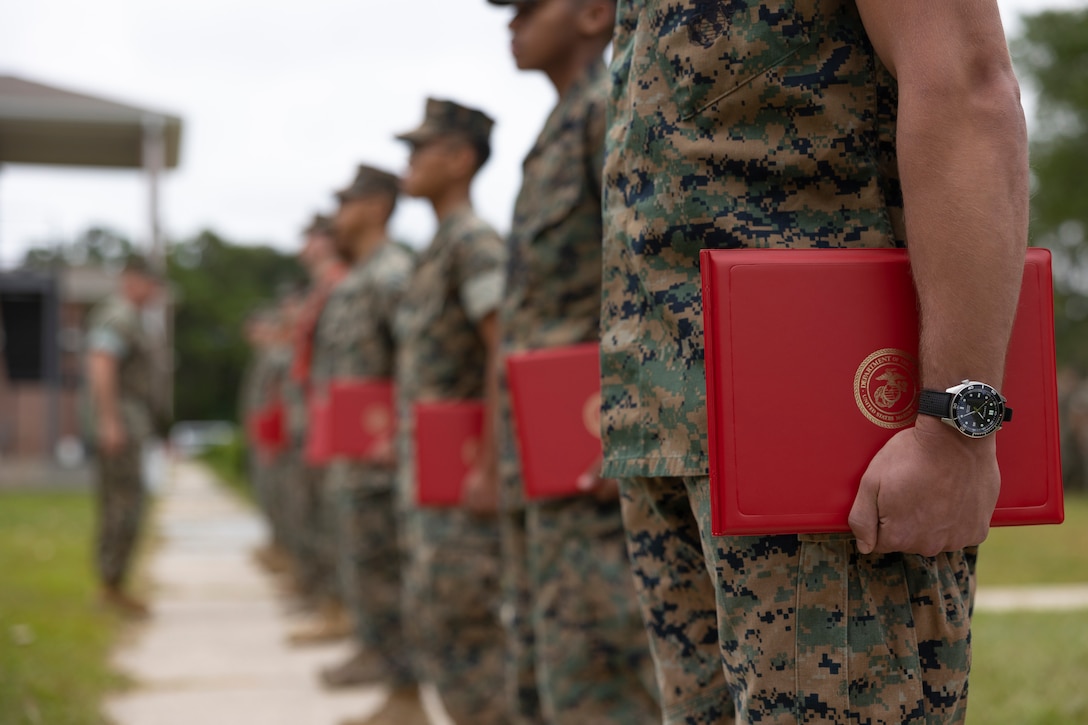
1038,555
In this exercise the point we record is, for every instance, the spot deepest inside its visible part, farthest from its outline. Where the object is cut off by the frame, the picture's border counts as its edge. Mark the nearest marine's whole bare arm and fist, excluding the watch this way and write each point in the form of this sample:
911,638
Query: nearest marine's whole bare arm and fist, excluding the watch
962,151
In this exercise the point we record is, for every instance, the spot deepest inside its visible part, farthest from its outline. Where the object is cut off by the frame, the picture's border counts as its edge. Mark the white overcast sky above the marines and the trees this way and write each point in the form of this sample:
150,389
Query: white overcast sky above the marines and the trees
279,101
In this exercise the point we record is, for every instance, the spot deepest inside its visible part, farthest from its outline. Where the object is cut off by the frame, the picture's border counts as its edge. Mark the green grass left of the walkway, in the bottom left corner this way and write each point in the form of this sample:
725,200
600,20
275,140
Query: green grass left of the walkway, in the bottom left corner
54,642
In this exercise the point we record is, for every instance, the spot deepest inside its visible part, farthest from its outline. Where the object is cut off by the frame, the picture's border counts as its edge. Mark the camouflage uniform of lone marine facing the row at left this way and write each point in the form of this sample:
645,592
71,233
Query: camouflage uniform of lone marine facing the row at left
116,328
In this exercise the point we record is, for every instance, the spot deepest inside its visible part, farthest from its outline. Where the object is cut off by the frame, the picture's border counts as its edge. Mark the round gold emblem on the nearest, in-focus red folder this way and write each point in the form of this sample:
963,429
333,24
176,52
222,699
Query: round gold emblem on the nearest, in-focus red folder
886,388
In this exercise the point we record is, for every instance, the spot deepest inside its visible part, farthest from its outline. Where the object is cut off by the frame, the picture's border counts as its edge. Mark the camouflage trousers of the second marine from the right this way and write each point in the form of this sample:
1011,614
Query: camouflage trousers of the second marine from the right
592,657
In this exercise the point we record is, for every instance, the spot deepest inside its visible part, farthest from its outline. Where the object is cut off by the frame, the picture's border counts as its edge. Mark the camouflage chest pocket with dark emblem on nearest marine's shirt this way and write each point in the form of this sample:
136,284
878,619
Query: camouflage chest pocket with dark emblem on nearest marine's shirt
711,50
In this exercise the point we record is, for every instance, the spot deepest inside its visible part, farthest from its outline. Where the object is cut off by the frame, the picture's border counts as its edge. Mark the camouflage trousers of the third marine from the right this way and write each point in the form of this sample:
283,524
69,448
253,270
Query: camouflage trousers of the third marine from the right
451,604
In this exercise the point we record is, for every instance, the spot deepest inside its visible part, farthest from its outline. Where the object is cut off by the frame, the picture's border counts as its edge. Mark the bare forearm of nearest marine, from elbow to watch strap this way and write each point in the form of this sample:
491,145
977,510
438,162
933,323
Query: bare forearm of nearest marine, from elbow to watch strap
963,159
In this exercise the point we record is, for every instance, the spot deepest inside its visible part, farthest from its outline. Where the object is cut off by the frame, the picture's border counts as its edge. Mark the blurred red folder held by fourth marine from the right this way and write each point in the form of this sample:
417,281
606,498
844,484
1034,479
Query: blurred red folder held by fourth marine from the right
362,417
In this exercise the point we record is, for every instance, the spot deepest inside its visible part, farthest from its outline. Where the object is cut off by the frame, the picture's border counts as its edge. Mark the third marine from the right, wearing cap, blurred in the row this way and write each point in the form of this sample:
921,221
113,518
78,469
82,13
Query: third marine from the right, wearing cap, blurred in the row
446,328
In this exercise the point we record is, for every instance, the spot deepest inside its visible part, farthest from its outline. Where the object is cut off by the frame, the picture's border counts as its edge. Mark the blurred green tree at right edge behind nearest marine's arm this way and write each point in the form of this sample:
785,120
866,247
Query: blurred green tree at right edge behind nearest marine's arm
1053,56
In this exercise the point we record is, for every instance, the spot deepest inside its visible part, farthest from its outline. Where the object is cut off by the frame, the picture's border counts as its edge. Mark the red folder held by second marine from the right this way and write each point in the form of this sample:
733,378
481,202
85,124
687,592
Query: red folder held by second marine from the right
557,397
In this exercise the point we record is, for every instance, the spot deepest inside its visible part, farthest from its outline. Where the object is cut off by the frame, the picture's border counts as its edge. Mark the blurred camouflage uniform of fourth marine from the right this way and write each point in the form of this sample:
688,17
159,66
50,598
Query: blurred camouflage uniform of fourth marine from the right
355,341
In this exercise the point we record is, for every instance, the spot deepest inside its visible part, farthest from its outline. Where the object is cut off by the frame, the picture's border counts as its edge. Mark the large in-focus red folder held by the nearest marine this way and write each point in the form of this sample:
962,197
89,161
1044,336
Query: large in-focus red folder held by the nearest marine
811,367
